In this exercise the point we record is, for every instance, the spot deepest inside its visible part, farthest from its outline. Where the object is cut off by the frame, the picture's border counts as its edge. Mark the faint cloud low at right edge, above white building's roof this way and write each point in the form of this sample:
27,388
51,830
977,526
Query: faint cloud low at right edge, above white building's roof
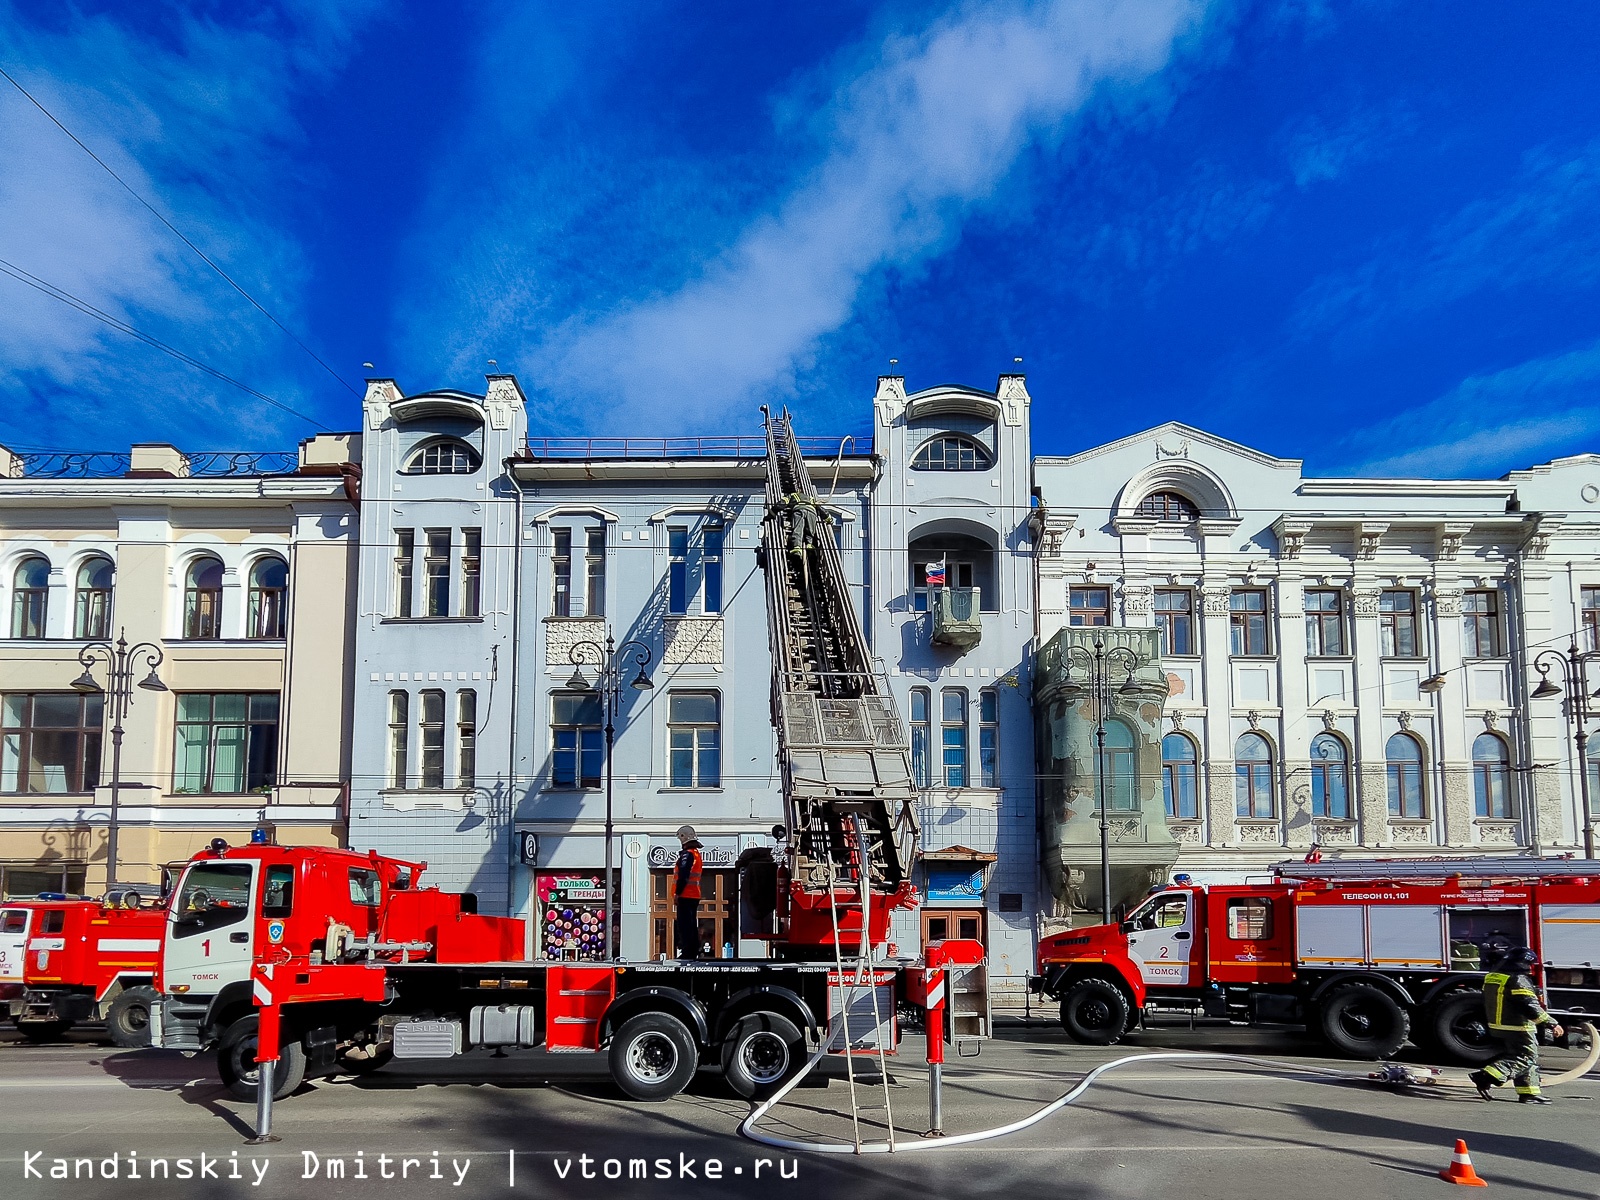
1490,423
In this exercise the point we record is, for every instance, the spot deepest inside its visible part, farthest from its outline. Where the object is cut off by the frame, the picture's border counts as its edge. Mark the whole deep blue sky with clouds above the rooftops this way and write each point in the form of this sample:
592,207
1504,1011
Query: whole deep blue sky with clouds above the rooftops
1361,234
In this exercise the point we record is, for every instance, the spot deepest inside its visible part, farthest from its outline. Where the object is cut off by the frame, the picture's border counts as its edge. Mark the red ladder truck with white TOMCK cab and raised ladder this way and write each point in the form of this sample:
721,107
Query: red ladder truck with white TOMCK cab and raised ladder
343,961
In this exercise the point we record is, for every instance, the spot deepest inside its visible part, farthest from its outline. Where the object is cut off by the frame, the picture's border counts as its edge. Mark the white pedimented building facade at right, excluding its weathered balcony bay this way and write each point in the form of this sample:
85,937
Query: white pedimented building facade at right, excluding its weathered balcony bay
1348,660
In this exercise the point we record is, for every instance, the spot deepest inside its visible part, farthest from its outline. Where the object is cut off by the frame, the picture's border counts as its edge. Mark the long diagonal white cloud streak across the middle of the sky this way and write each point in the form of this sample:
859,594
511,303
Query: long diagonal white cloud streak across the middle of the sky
919,134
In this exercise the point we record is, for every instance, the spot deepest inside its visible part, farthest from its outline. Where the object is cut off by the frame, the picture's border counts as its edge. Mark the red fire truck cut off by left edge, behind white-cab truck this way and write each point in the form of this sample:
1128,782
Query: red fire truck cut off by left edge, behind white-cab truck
86,961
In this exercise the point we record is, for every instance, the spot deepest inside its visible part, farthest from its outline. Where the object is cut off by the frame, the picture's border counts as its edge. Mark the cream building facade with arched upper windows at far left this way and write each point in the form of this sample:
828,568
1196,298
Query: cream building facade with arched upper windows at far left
233,575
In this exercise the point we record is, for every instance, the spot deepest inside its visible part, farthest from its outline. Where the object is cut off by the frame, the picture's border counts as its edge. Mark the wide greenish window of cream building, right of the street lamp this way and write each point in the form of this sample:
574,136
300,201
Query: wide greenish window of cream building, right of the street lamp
228,742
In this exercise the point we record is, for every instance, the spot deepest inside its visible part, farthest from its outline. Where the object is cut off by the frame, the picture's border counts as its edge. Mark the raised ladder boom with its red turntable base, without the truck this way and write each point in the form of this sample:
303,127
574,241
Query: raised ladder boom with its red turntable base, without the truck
846,764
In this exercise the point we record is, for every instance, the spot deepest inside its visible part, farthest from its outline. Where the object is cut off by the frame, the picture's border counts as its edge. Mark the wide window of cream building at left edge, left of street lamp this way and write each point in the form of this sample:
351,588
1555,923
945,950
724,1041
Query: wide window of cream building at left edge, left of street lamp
50,742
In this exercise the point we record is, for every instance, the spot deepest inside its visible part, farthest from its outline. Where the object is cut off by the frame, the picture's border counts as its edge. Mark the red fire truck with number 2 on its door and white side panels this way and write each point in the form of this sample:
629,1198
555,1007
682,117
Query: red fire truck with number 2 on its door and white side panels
1366,954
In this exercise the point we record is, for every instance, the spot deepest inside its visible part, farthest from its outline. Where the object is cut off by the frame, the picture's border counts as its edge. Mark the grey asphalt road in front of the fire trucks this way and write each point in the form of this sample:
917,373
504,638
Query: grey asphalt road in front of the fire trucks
1158,1129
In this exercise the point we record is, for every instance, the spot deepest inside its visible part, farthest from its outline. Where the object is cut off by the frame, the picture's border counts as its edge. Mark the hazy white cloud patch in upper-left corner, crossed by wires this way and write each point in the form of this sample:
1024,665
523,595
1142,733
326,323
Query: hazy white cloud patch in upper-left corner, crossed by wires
196,114
